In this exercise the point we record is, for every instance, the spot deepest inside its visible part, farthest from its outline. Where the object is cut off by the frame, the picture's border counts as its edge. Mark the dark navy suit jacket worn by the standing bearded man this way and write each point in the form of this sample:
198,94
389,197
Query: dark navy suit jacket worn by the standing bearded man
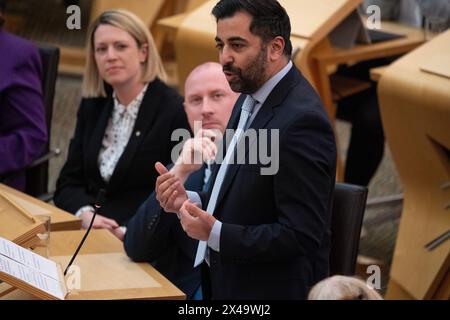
275,237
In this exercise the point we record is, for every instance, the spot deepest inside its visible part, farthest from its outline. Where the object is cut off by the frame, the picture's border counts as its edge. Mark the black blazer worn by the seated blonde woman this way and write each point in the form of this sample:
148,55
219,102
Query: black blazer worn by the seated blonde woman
160,113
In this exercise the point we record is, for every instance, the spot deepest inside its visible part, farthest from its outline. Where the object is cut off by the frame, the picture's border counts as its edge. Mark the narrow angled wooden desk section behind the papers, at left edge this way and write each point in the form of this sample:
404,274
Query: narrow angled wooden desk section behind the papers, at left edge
61,220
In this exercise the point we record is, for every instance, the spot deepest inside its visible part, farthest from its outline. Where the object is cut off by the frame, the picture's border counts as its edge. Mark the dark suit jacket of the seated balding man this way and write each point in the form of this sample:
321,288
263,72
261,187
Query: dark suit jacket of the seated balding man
156,236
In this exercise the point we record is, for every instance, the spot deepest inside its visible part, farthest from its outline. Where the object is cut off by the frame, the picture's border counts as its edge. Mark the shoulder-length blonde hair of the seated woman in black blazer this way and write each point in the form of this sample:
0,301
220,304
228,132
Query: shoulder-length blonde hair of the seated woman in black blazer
93,85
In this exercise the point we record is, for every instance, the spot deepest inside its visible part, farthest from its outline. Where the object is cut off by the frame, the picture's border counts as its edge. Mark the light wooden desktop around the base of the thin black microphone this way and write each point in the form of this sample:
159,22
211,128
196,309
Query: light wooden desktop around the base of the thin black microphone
106,272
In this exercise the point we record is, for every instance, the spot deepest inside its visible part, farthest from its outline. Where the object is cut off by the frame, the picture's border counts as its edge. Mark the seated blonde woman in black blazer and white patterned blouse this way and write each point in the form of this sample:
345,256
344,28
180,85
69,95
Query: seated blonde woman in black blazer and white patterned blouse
125,122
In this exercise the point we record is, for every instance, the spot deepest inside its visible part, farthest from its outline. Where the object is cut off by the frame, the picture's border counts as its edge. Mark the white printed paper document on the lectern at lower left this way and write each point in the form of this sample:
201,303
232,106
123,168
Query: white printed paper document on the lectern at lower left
31,268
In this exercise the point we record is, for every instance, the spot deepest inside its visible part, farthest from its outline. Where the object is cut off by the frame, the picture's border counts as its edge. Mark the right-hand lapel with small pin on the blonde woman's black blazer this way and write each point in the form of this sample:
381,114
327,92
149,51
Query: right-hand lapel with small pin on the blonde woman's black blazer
145,118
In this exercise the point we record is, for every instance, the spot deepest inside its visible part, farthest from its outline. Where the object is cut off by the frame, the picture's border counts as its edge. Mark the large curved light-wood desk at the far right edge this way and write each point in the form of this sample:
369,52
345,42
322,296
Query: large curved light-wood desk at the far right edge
415,110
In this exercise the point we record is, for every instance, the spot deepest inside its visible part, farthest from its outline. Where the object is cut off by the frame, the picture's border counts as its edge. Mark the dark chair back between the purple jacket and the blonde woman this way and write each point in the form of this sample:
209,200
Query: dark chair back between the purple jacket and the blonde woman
37,175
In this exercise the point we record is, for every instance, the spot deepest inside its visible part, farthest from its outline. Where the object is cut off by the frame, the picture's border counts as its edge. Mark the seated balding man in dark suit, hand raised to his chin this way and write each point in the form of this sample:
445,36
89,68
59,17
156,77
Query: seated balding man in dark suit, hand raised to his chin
157,237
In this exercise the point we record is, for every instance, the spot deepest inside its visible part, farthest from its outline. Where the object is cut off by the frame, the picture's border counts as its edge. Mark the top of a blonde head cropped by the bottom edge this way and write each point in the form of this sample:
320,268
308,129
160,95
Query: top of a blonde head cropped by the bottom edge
343,288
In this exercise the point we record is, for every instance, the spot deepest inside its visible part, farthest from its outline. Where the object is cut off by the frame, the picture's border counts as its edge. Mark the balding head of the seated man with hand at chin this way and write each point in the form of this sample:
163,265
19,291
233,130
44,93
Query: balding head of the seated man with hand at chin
208,97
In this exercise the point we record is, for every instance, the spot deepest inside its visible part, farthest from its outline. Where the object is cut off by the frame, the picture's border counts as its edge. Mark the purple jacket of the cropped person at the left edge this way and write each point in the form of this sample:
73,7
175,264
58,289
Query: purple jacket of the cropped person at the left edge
23,132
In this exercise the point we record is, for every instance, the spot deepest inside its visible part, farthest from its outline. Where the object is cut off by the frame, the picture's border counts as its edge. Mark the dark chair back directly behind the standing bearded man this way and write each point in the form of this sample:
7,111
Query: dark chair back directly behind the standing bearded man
346,222
